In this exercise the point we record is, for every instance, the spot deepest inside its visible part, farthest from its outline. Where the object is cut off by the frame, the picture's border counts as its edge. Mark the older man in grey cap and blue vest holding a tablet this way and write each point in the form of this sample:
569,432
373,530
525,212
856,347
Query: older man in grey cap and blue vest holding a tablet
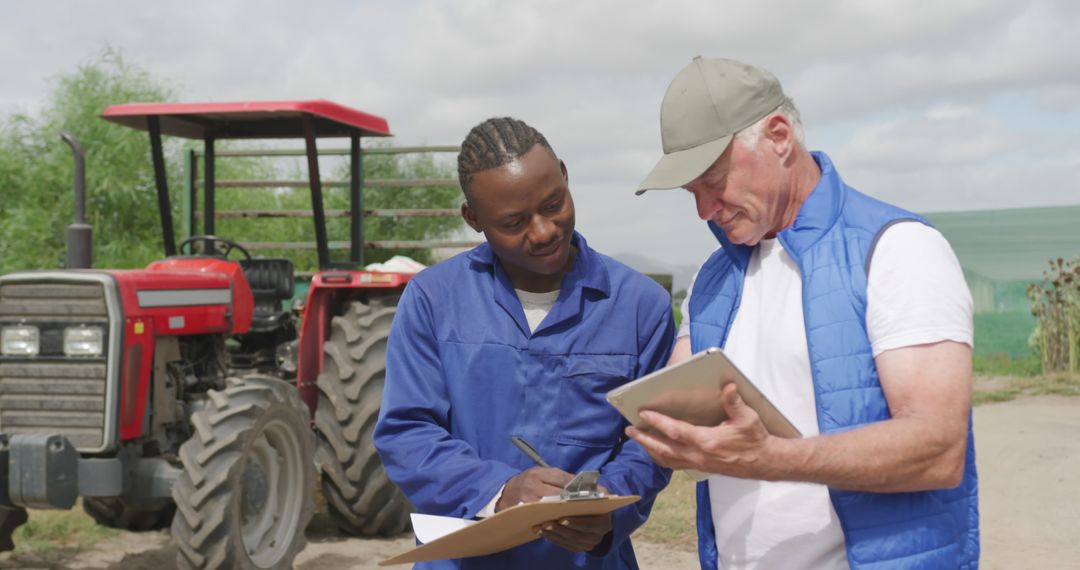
850,315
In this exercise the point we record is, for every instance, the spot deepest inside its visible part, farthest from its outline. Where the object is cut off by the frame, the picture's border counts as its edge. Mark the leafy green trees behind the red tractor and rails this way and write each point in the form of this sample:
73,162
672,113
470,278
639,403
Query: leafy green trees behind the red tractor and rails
37,197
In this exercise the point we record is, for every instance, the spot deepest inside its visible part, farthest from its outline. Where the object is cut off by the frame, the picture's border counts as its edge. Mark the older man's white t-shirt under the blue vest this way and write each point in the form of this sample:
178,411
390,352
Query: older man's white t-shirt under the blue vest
916,295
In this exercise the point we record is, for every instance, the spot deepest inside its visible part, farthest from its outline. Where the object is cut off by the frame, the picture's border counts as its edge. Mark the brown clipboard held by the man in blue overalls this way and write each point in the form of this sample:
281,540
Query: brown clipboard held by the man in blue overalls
508,528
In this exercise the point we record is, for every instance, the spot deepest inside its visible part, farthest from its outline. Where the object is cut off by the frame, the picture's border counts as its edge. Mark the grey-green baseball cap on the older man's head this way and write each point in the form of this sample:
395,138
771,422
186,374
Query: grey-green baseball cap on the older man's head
707,104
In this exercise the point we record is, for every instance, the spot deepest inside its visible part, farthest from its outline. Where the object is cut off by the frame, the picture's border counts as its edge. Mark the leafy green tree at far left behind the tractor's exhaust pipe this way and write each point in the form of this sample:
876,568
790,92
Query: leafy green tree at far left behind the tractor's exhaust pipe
36,171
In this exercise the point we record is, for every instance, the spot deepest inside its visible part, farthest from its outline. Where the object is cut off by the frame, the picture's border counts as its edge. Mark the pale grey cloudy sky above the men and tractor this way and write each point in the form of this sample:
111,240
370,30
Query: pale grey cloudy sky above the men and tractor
935,106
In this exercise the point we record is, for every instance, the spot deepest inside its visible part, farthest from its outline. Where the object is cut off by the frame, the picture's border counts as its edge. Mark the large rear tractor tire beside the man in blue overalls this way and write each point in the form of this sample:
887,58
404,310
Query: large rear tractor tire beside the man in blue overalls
361,499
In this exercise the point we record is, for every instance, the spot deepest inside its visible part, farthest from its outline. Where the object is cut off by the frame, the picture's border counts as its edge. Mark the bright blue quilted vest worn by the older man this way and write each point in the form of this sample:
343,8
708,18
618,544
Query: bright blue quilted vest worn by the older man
831,241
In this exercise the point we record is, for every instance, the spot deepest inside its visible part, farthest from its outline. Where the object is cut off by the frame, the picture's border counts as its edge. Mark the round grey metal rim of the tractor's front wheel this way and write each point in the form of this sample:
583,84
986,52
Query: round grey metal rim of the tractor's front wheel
269,521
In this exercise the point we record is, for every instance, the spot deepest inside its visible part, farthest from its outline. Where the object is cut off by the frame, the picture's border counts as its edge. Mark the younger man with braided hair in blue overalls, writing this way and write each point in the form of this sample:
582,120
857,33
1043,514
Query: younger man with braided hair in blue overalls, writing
522,336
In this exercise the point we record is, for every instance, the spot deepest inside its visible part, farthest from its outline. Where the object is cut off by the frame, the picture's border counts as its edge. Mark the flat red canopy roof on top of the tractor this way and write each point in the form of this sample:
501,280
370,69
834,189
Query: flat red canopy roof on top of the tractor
249,119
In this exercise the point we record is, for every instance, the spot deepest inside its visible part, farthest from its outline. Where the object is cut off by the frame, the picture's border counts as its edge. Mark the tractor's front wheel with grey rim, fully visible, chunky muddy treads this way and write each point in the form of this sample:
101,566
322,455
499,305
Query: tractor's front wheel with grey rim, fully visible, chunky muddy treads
244,498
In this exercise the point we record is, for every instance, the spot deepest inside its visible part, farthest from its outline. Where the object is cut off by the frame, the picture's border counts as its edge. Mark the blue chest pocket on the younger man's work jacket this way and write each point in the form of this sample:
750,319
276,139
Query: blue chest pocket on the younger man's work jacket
585,416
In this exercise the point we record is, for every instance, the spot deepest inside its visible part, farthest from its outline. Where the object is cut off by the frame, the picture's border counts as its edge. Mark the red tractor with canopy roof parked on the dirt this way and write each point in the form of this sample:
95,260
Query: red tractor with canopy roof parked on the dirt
193,393
